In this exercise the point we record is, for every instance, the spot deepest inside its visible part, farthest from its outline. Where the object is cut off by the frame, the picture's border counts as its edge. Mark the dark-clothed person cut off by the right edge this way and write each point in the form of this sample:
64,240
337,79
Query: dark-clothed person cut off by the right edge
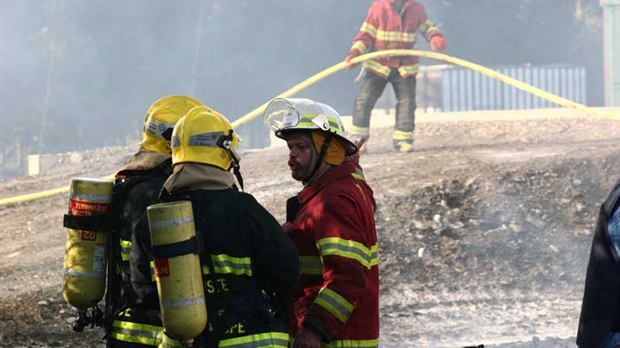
599,322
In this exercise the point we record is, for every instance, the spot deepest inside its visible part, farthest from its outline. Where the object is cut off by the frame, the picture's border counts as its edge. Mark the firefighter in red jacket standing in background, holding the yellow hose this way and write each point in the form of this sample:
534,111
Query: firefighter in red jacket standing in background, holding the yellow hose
391,24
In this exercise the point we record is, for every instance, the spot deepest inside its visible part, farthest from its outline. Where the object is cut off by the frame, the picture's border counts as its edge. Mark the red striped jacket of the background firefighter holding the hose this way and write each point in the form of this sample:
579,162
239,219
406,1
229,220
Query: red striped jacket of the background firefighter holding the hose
385,30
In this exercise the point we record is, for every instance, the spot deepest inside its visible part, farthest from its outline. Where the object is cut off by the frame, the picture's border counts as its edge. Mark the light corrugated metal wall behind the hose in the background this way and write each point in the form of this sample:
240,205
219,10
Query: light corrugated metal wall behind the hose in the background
451,88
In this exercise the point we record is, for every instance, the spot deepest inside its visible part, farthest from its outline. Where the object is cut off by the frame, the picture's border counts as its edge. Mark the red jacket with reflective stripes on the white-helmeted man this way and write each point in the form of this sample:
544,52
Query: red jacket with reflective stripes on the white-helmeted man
334,231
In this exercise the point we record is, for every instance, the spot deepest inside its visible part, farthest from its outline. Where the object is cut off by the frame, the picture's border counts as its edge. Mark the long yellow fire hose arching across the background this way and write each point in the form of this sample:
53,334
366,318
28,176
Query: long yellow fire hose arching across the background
342,65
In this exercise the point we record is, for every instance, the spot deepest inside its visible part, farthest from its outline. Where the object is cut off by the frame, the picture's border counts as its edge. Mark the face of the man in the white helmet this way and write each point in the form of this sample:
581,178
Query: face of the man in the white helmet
301,155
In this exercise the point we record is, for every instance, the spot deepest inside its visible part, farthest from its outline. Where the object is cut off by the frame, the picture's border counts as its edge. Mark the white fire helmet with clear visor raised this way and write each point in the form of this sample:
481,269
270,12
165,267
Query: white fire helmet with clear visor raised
286,115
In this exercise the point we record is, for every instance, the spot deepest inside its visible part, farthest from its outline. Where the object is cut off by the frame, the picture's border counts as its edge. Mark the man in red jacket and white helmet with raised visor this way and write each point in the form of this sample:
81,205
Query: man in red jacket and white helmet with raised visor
331,221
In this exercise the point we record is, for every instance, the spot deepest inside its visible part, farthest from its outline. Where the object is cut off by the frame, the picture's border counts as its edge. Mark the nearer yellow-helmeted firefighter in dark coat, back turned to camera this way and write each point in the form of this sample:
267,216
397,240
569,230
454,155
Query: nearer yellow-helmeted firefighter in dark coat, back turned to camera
246,257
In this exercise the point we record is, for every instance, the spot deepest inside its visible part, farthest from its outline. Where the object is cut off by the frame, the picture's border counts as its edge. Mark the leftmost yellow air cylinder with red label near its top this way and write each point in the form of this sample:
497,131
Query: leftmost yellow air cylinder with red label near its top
83,283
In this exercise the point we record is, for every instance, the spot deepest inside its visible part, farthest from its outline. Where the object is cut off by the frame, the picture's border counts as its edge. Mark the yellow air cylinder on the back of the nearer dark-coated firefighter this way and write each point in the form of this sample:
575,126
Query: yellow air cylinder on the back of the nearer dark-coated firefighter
179,278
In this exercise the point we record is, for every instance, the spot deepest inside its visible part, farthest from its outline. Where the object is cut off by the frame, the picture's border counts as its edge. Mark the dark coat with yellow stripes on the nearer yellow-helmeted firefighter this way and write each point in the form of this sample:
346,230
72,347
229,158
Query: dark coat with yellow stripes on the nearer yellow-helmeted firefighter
247,257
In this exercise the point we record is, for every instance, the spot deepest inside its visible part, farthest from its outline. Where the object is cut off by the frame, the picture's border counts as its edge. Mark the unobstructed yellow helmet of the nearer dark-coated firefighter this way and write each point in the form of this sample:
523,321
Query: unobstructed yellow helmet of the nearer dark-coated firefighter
205,136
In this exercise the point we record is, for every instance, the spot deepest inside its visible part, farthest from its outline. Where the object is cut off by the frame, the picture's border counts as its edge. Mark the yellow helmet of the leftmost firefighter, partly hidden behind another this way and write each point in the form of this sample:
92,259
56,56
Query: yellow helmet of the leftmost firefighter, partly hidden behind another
160,120
